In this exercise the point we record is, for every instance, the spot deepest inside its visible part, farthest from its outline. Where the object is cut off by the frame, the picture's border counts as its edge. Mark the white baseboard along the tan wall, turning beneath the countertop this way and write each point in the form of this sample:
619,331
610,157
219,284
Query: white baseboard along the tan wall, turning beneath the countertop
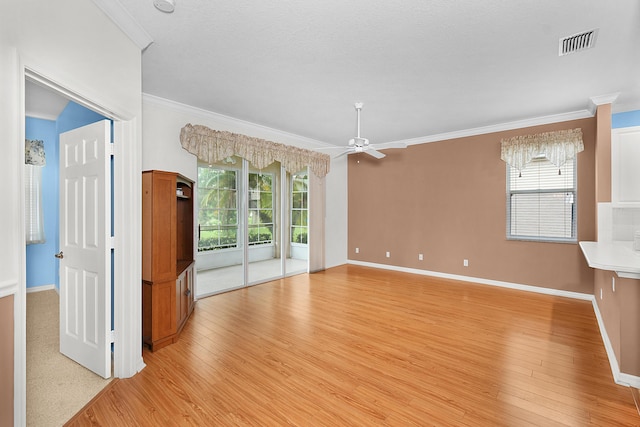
619,377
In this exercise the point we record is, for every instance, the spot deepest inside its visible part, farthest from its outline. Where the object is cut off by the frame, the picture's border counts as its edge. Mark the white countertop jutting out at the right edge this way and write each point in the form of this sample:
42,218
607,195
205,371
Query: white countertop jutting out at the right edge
615,256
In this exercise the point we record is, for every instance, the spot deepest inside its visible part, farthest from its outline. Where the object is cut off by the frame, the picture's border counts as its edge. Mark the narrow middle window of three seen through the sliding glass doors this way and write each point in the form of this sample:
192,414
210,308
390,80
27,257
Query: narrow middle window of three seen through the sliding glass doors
260,208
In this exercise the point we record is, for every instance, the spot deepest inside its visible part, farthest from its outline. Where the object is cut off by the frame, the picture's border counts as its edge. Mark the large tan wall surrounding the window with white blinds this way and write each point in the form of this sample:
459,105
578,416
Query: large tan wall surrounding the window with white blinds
447,200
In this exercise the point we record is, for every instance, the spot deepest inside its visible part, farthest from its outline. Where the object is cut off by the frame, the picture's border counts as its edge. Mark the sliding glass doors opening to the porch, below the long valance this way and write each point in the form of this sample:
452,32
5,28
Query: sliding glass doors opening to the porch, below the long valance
252,225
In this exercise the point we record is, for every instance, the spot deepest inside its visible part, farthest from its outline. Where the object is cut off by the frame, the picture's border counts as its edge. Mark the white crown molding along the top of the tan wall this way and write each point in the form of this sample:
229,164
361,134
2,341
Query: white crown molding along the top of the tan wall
536,121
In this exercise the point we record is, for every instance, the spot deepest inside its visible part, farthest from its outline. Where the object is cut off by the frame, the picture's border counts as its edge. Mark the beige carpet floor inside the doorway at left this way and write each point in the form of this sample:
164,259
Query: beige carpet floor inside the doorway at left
57,387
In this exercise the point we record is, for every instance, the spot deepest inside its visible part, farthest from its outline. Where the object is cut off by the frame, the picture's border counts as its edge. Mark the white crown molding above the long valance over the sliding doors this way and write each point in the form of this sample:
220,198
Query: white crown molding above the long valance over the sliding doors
230,121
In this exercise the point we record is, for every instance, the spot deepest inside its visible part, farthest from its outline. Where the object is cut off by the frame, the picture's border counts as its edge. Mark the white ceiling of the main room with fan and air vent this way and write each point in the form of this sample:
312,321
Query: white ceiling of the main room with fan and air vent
420,67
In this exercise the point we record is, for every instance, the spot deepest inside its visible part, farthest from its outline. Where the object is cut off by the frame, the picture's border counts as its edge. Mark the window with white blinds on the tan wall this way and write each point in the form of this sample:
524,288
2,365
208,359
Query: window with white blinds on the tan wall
541,201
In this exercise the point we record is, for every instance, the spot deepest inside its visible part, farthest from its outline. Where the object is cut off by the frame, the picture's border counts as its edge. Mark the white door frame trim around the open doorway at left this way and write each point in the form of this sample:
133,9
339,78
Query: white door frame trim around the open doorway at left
127,210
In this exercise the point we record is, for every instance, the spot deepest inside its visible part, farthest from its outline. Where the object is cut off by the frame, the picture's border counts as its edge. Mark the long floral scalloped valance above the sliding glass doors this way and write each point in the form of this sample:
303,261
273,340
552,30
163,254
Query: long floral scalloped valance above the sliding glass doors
211,146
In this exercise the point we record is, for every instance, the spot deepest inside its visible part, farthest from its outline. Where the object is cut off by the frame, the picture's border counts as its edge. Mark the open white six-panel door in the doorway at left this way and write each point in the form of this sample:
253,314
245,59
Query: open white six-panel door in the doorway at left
85,246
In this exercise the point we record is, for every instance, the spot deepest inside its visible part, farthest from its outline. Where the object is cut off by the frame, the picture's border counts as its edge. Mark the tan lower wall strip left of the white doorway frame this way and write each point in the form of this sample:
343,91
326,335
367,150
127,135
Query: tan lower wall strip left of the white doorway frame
6,361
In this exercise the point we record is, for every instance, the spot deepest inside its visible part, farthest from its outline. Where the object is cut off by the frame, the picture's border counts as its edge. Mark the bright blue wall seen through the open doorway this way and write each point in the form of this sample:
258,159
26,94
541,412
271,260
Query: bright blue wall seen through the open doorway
42,267
